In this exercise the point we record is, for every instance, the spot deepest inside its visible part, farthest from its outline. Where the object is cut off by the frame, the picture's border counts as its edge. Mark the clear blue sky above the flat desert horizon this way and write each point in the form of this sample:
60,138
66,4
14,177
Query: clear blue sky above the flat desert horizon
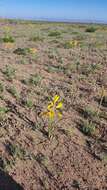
54,9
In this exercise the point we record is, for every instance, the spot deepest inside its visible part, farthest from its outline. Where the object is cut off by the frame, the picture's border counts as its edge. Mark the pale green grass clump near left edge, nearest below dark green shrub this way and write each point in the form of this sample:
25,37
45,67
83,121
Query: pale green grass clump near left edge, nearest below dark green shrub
9,72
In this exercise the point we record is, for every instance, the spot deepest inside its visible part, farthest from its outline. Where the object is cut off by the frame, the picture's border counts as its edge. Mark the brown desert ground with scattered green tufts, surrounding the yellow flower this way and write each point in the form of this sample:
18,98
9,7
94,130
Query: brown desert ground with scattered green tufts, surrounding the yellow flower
38,61
